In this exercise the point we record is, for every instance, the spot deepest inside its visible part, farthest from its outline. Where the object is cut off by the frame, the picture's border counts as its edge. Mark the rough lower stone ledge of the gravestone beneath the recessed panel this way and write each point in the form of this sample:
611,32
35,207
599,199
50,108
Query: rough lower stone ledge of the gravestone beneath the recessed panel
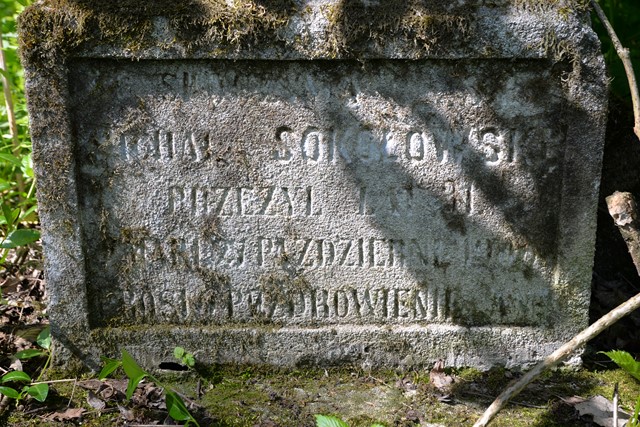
364,346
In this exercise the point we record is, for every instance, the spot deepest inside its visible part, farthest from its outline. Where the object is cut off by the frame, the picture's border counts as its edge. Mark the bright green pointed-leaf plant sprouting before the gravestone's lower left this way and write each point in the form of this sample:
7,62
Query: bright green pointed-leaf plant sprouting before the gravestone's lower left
175,405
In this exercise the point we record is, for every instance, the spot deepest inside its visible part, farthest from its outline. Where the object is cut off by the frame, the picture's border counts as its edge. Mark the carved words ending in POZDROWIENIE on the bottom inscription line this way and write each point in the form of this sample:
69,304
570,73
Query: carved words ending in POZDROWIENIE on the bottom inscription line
353,304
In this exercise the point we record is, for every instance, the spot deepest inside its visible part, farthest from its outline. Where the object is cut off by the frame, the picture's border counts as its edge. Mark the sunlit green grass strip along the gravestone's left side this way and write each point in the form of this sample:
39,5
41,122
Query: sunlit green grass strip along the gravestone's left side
17,189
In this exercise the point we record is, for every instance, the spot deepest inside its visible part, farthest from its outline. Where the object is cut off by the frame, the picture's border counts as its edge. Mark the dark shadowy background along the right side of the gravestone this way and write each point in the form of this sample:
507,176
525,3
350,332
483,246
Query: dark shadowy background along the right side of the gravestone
614,277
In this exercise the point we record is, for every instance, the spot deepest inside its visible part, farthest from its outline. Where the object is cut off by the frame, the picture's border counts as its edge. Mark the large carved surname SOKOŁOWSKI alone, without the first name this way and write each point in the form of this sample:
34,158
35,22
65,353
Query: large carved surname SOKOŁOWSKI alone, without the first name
434,146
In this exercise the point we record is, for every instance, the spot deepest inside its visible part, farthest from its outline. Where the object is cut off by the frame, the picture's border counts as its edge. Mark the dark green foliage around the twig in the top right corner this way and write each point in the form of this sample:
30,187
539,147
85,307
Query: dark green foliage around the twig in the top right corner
624,16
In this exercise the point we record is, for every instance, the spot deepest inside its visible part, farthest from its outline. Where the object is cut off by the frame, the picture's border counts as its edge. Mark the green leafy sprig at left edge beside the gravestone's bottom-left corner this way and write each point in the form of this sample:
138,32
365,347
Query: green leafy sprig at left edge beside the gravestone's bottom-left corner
37,390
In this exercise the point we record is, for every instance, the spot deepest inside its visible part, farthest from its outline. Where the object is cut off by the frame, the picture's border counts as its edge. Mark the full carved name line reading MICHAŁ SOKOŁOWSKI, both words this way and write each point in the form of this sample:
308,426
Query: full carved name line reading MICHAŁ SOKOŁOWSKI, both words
326,147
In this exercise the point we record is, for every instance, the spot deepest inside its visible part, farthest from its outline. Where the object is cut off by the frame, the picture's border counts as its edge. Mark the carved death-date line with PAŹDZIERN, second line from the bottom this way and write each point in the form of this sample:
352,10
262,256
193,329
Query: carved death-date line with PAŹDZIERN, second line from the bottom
212,253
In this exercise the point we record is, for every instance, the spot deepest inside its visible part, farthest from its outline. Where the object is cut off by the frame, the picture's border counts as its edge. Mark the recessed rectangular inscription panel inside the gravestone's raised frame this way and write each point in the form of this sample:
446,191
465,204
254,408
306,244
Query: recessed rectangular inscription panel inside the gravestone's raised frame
310,193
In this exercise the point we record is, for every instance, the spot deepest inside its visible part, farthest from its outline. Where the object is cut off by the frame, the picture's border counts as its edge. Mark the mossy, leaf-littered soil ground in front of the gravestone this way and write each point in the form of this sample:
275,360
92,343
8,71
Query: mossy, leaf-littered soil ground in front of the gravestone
266,397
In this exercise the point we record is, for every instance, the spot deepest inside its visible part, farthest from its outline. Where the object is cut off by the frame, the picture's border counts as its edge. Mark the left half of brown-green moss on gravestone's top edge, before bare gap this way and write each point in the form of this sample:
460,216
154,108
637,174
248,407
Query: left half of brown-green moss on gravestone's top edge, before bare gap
57,28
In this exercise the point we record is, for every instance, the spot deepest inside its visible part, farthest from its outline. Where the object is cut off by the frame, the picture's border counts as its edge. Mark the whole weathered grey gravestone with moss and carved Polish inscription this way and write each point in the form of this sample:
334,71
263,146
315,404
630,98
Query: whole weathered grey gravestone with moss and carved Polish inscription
316,182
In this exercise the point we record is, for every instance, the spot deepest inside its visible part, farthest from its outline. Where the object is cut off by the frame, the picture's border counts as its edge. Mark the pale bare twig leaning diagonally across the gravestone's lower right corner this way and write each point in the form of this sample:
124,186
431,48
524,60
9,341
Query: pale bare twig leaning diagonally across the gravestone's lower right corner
557,356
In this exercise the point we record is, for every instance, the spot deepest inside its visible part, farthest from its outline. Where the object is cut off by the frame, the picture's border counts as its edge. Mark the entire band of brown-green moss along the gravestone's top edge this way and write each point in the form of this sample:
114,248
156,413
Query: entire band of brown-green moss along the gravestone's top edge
55,29
